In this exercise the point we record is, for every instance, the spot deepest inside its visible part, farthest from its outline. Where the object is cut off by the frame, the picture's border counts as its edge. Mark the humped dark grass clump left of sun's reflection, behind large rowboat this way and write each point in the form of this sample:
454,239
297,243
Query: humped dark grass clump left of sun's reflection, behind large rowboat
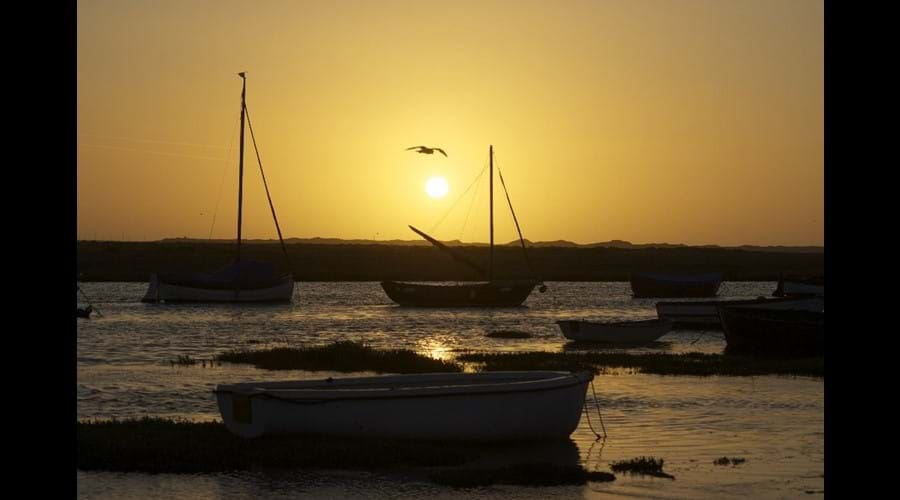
342,357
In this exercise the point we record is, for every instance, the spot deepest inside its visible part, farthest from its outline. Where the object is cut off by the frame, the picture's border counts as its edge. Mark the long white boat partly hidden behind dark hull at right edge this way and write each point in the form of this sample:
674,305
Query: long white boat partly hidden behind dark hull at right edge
704,314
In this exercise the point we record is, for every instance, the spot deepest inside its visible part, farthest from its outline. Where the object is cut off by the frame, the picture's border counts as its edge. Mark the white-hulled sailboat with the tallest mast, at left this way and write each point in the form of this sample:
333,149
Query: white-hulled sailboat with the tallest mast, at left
242,280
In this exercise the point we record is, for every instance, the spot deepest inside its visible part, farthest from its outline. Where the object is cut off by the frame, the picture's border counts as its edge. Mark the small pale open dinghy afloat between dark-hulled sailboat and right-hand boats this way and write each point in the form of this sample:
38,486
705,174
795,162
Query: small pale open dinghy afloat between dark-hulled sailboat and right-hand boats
620,332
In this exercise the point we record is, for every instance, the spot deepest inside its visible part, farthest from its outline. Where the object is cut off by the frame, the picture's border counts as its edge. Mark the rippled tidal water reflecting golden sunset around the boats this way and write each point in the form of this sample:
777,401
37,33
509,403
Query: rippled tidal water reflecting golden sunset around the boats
775,423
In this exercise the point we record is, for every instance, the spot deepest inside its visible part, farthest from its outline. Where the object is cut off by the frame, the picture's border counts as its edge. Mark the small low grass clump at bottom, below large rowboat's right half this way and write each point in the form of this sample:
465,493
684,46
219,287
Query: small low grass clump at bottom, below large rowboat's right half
520,474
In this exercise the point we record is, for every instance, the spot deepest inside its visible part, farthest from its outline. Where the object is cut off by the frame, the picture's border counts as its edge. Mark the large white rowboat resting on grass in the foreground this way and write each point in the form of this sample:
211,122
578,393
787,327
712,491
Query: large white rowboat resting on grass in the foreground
488,406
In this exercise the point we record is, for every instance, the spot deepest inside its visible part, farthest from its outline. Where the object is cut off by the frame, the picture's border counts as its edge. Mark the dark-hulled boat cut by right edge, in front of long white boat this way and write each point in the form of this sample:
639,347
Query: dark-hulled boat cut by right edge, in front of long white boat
773,330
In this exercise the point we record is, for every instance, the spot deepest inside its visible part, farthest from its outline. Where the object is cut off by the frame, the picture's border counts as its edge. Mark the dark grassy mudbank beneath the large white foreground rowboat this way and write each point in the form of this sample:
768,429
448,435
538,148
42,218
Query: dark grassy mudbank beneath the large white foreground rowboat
168,446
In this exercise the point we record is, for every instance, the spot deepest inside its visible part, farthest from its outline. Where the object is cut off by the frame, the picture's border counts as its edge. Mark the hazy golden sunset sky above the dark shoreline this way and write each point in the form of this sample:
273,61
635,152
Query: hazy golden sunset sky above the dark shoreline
680,121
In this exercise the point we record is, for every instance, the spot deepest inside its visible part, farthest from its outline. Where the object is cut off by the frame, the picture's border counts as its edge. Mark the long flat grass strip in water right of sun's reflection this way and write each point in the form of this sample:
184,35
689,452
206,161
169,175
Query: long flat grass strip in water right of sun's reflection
660,364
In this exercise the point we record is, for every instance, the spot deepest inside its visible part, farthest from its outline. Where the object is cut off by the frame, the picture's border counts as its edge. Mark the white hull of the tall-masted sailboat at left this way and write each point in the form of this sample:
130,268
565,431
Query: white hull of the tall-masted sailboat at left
158,291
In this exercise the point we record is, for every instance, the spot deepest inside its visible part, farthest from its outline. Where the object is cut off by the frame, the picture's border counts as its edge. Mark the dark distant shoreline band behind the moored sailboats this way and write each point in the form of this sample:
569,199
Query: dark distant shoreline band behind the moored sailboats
135,261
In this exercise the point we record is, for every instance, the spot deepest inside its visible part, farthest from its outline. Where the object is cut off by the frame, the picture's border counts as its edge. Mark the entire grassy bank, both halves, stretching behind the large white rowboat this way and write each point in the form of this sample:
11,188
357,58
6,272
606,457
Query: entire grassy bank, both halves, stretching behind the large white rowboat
354,357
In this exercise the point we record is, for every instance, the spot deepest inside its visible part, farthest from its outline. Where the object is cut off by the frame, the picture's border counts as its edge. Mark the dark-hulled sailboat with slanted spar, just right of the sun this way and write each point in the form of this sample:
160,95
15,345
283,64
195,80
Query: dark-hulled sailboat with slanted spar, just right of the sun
490,293
